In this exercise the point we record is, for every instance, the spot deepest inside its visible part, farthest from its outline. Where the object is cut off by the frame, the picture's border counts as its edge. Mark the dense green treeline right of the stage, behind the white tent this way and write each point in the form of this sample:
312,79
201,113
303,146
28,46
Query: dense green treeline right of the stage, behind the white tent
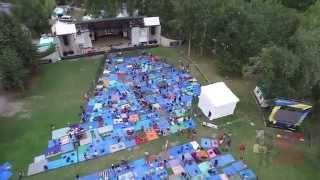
260,39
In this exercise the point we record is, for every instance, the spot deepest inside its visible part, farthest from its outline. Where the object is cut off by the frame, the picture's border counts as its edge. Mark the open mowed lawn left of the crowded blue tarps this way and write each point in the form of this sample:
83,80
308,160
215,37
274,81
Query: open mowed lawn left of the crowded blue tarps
53,99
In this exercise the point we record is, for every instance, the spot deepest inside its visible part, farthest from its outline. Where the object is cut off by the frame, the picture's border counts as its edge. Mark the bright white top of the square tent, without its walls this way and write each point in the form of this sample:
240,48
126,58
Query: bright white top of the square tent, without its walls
218,94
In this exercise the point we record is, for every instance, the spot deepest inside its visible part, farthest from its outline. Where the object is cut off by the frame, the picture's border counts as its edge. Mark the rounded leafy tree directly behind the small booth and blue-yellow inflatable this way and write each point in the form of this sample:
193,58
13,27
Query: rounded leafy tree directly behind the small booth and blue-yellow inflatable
278,71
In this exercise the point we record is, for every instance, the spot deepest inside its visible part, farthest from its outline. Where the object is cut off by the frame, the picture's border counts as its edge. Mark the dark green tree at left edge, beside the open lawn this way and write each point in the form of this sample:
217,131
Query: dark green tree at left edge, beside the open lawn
17,53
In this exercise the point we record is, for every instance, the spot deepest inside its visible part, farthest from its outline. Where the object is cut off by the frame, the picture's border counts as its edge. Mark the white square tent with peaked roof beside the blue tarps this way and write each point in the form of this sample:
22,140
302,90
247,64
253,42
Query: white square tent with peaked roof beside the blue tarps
218,100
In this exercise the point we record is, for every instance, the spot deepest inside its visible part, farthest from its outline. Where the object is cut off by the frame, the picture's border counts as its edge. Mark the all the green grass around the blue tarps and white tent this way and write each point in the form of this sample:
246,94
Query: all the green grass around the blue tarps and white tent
56,97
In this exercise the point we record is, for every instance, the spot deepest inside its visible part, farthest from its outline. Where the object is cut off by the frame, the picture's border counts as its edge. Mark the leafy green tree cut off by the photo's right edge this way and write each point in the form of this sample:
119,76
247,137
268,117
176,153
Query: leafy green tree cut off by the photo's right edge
306,43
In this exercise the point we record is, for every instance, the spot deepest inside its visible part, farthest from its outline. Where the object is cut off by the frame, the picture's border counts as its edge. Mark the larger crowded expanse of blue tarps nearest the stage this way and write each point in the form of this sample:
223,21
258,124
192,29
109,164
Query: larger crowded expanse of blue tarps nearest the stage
132,86
